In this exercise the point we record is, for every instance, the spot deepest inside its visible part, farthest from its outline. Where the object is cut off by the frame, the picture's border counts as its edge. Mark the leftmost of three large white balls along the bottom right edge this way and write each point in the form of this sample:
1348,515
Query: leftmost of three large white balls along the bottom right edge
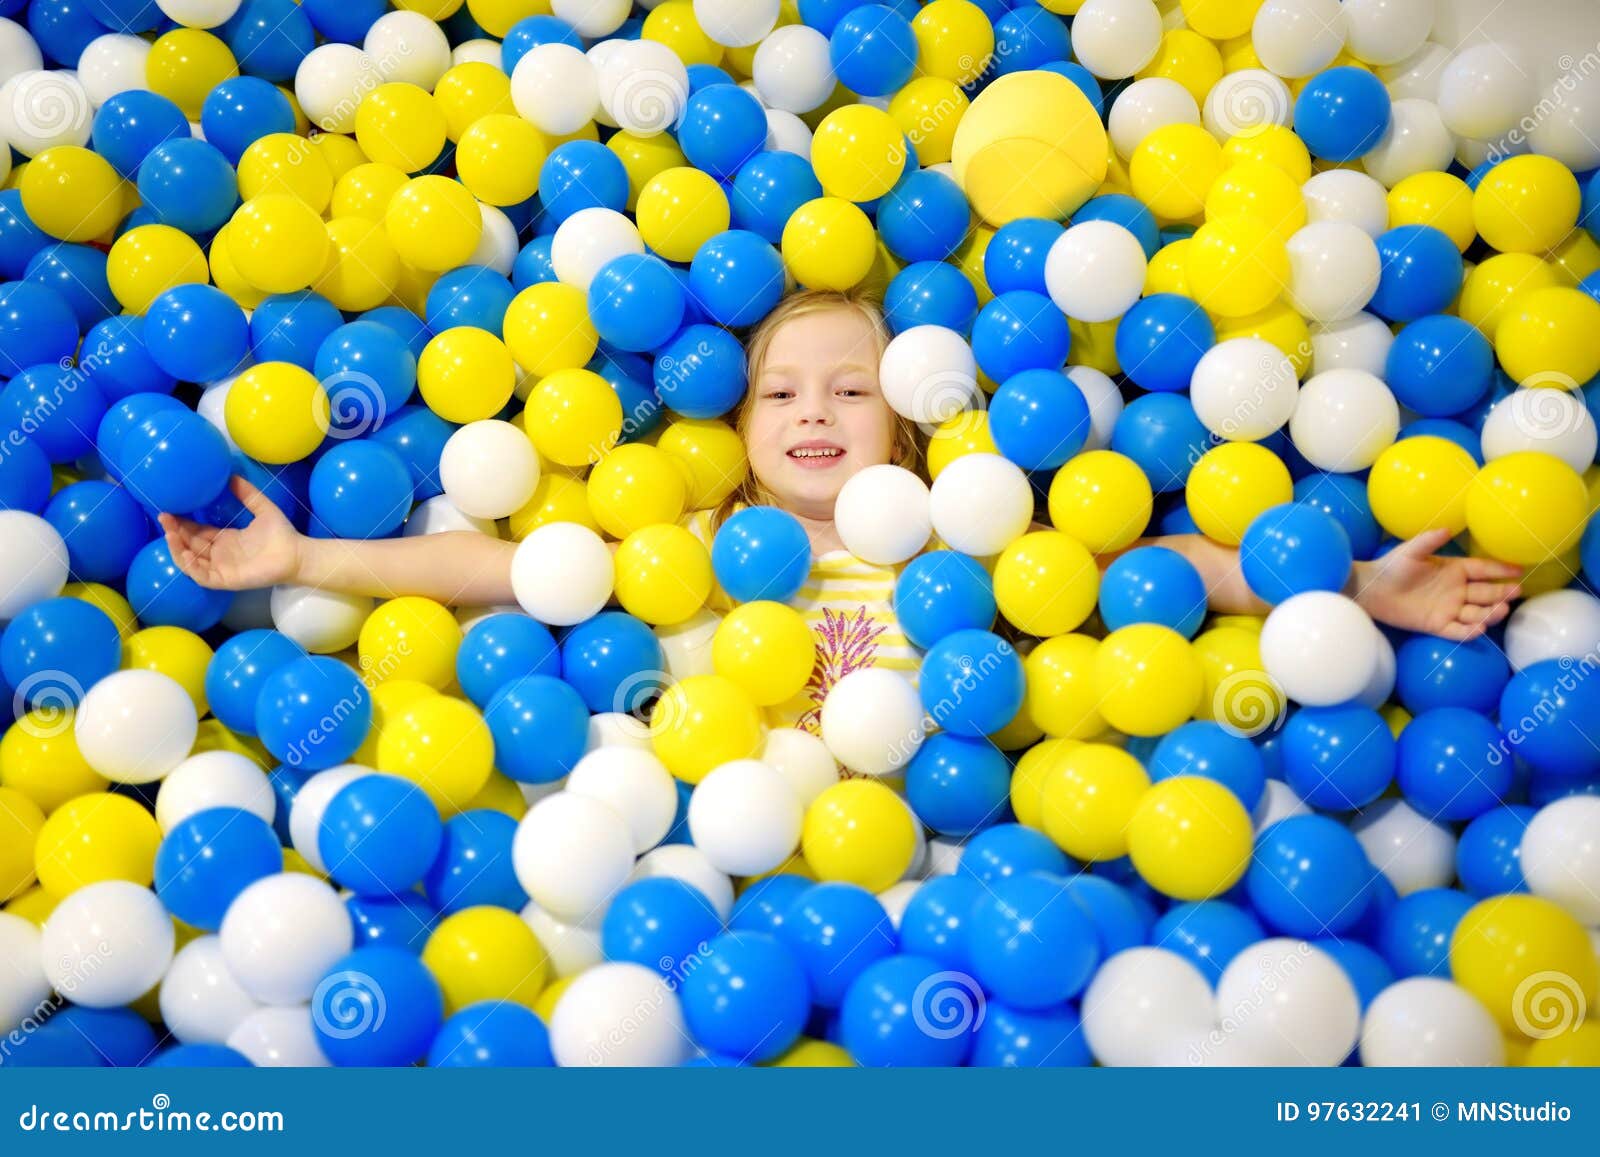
1140,1003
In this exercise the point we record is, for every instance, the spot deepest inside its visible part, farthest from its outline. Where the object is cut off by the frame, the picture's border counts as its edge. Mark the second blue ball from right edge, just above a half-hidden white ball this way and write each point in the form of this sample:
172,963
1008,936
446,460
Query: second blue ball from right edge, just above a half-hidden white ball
1454,764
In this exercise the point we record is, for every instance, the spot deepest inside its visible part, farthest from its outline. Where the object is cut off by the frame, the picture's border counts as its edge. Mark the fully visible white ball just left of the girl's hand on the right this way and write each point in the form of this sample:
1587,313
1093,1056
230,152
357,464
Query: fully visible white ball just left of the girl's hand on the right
1319,647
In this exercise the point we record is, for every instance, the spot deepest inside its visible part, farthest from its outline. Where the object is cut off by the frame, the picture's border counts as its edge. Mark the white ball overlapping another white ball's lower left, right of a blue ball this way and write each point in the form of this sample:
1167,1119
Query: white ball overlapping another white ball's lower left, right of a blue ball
572,854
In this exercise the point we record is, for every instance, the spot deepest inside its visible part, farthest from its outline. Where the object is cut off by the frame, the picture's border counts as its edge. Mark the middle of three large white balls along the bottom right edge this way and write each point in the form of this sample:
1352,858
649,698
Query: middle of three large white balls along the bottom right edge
1290,1003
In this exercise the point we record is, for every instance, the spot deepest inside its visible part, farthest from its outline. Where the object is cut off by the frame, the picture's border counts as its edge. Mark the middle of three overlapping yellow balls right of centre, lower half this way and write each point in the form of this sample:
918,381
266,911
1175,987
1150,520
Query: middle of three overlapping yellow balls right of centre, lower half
1090,798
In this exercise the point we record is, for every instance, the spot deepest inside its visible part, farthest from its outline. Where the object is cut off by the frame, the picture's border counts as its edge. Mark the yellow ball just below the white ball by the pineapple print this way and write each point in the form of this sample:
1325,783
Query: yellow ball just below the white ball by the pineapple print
858,831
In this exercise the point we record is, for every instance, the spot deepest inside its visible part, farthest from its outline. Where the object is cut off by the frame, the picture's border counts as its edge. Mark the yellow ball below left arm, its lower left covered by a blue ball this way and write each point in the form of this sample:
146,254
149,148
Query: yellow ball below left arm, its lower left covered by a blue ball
444,747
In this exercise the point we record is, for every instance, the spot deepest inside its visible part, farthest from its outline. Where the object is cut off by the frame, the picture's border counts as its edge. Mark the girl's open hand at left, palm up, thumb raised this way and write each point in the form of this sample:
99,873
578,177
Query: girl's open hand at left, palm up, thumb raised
263,554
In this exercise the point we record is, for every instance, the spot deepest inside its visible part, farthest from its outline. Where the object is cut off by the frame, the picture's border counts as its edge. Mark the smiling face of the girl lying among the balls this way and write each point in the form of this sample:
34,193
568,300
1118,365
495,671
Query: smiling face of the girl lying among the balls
817,410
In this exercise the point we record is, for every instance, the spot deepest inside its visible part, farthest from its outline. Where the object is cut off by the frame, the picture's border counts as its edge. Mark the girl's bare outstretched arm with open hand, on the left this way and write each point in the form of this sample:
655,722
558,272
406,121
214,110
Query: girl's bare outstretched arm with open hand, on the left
460,569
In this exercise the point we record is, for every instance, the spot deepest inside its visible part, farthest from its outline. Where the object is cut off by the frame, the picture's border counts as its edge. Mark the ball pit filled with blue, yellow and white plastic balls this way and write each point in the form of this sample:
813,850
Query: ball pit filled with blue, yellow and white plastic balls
1287,281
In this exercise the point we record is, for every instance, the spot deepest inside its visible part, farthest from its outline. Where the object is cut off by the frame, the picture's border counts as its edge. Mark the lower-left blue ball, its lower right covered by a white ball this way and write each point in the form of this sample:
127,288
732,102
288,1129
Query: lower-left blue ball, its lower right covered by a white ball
212,857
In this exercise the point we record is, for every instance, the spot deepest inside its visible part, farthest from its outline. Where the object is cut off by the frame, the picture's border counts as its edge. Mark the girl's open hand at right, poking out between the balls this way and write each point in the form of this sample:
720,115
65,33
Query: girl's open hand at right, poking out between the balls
1417,590
